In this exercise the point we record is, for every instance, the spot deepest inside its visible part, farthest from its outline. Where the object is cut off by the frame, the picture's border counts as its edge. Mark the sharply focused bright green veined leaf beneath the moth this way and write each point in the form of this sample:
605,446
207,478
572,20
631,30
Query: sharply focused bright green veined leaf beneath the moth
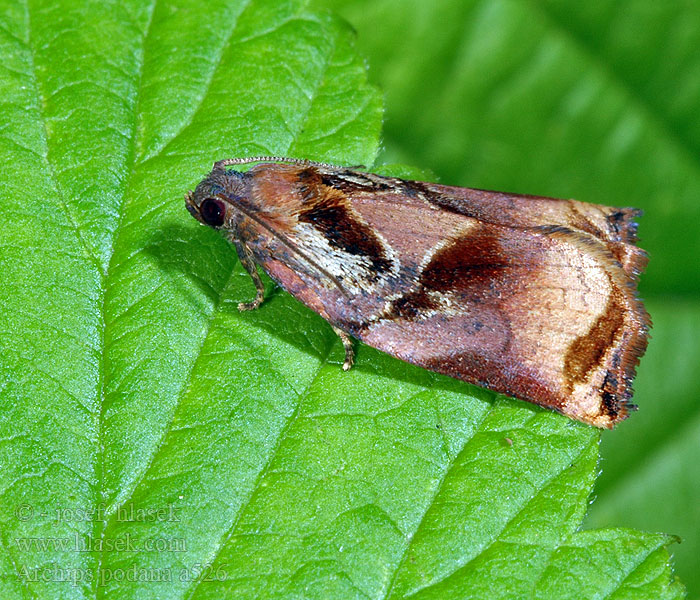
155,442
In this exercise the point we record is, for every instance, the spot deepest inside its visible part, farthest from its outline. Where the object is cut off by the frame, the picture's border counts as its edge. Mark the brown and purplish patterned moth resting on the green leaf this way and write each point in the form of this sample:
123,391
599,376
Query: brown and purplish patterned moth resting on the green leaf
529,296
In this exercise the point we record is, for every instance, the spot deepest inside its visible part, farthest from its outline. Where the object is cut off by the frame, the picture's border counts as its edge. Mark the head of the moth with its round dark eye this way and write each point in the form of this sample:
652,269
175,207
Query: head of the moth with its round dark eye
212,202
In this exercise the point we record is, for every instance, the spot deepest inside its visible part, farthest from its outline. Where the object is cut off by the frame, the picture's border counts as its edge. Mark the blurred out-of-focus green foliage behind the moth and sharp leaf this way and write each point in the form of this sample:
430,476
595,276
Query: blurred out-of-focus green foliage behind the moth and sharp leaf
598,101
